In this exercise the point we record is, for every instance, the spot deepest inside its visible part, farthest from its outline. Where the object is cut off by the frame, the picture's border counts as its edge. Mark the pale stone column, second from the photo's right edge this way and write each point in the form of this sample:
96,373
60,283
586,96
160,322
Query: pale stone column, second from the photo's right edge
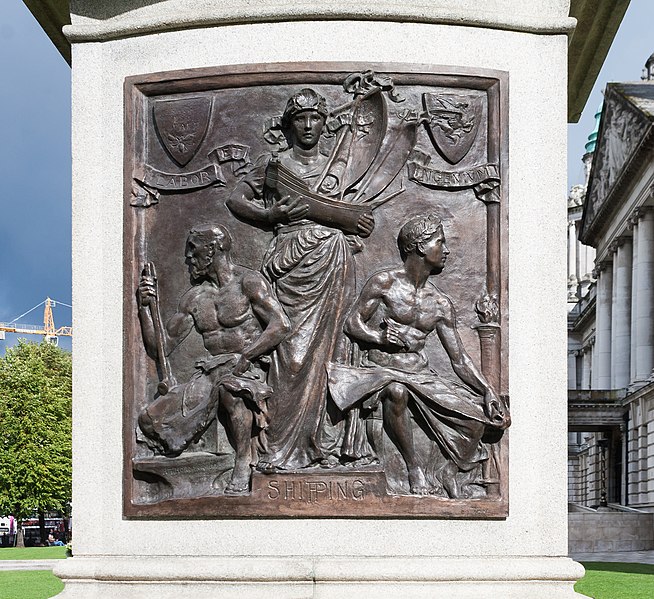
621,315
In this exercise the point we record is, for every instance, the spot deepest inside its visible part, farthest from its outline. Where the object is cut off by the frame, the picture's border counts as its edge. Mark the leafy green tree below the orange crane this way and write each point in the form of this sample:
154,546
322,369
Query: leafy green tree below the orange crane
35,430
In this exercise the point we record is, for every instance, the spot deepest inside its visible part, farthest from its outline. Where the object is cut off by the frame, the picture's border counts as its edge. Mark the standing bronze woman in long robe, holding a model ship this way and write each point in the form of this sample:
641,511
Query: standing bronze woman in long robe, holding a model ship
311,268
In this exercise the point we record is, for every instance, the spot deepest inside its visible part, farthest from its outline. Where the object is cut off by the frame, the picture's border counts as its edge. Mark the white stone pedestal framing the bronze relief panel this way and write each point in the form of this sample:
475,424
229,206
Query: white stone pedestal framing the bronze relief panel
522,555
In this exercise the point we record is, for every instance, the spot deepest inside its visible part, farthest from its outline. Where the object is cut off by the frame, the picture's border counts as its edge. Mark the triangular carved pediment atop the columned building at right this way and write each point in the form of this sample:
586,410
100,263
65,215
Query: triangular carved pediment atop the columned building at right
622,143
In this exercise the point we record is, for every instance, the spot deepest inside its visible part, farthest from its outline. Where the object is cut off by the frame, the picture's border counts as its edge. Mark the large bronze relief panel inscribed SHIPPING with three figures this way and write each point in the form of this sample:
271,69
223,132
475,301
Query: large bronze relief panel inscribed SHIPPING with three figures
316,310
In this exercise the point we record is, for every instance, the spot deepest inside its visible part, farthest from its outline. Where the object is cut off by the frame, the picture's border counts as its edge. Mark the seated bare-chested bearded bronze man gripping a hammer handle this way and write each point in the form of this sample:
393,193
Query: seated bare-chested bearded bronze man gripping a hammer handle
240,320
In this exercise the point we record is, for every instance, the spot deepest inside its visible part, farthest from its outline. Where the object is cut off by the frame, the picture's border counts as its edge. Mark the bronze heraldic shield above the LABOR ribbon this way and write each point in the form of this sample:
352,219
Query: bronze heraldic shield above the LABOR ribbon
182,124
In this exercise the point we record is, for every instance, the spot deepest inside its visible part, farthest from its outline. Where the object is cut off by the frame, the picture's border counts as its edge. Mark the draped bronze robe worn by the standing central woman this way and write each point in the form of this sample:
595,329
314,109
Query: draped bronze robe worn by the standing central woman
311,268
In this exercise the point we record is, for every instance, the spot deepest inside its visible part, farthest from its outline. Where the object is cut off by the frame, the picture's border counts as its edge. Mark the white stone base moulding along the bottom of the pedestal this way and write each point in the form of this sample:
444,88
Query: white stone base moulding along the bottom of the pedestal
166,577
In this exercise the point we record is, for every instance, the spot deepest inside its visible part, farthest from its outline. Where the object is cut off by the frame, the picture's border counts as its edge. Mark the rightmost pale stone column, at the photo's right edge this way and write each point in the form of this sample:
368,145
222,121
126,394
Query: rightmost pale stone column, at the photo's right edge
645,300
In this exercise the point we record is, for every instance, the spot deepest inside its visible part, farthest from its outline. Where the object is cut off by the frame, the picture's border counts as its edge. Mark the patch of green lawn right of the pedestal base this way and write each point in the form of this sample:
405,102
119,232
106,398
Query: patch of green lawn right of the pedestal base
606,580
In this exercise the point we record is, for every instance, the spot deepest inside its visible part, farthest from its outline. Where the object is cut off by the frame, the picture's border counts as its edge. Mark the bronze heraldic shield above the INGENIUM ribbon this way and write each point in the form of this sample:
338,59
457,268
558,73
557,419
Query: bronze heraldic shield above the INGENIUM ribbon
453,122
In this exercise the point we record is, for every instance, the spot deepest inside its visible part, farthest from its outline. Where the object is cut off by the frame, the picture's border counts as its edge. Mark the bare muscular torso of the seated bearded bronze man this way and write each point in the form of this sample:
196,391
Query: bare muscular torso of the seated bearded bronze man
223,316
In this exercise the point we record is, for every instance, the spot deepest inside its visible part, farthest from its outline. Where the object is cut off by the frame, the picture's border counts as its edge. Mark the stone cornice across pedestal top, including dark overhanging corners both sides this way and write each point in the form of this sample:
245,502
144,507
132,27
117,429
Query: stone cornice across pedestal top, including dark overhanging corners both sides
596,24
